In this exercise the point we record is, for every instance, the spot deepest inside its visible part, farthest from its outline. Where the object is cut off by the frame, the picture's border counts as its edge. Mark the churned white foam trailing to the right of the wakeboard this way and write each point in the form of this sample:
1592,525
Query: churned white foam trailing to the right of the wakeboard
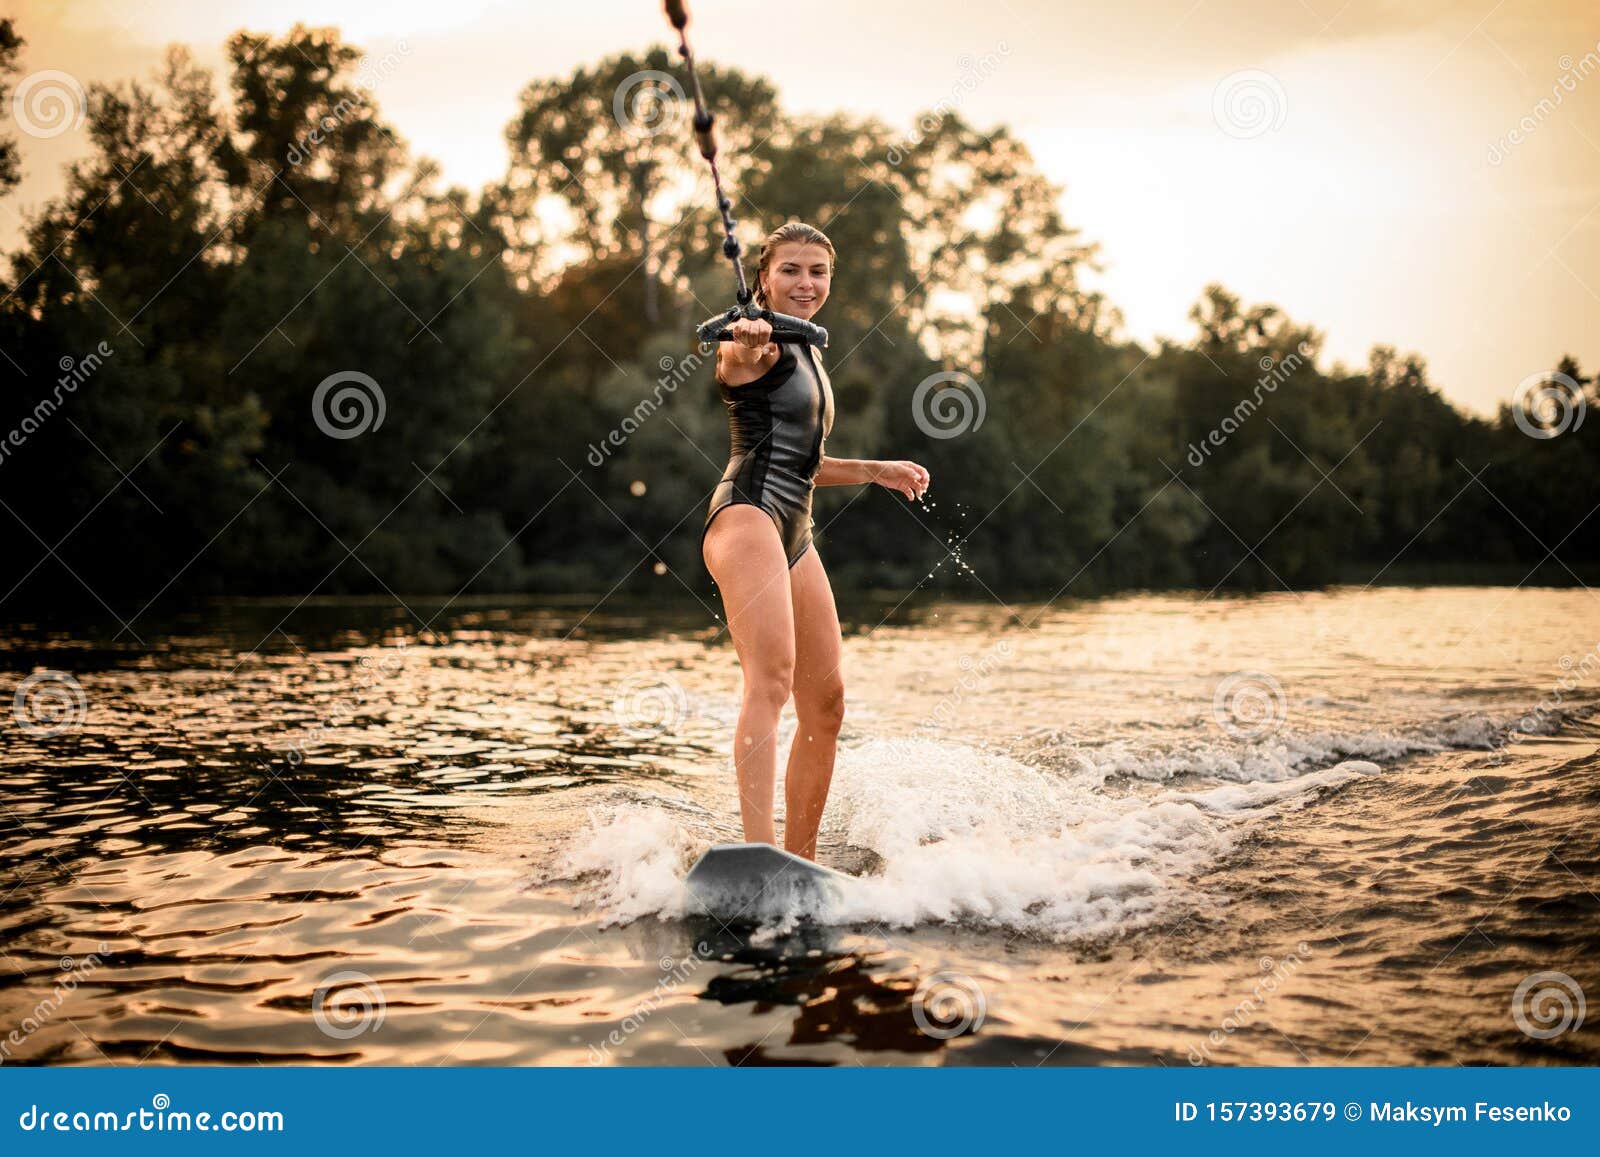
982,839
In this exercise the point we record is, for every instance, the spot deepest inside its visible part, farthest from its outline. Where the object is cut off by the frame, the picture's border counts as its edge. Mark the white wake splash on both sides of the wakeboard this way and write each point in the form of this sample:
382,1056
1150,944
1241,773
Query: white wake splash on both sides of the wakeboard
964,838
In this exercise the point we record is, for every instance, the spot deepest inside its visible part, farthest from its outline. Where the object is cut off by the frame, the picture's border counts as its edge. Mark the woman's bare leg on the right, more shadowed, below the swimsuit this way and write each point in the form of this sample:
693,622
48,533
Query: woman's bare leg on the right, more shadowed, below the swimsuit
820,703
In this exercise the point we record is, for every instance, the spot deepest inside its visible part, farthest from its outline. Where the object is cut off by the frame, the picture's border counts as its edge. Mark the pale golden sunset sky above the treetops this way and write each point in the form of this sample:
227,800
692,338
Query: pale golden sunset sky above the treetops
1380,199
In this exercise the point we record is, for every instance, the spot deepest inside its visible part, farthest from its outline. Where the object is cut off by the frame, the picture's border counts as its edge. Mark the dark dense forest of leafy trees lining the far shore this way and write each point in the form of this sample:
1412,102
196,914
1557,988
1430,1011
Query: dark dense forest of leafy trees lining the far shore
258,348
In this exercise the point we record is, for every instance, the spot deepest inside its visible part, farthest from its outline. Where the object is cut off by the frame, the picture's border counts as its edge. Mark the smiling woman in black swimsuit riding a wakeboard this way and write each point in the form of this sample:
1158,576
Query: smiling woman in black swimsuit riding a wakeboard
758,542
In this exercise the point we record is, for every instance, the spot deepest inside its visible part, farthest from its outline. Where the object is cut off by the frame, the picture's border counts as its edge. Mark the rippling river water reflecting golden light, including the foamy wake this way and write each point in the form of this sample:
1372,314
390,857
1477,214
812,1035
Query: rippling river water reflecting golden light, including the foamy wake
1132,831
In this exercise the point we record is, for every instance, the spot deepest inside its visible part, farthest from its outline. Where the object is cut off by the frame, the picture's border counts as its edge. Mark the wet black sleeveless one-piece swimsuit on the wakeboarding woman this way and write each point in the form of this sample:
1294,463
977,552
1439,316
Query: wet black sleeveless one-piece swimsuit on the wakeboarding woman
777,426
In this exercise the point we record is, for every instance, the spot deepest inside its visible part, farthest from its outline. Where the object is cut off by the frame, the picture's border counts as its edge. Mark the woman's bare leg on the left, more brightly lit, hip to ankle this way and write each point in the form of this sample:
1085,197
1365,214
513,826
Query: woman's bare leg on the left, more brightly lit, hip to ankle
746,556
